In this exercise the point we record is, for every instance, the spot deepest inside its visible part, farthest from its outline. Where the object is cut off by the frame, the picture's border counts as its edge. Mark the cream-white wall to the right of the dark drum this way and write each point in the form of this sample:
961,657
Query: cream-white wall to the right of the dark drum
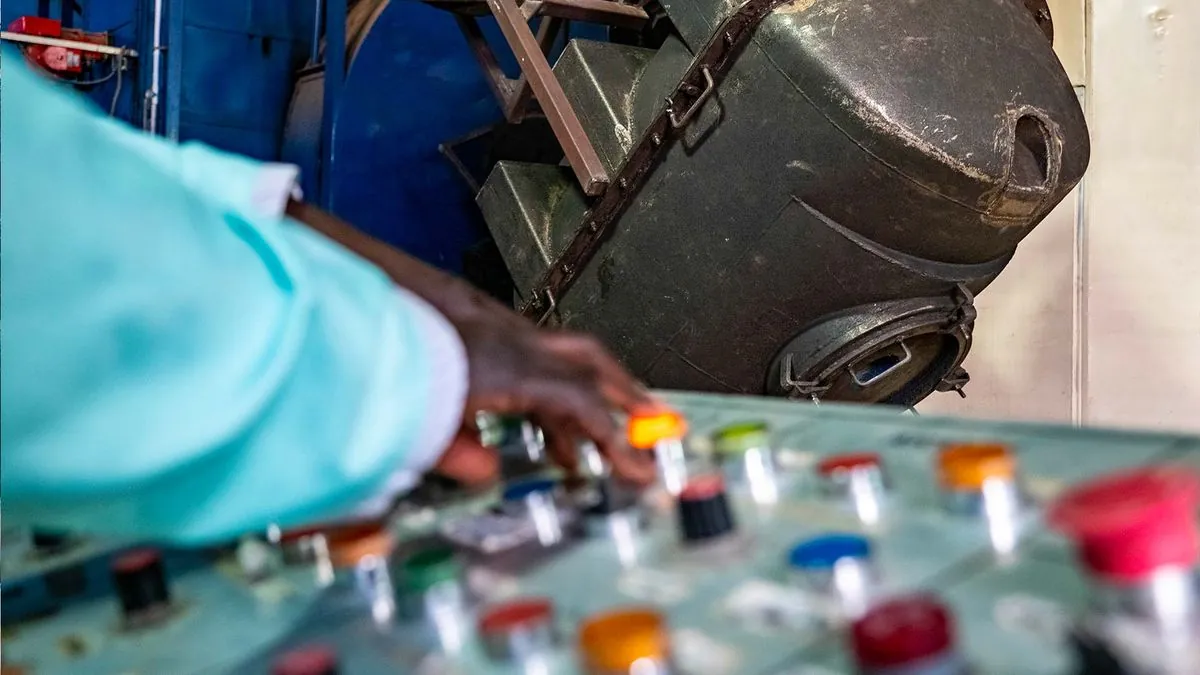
1097,320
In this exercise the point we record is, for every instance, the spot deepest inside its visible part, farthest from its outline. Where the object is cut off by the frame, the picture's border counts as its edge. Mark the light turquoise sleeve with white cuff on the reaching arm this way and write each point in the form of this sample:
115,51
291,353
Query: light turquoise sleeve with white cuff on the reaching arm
178,366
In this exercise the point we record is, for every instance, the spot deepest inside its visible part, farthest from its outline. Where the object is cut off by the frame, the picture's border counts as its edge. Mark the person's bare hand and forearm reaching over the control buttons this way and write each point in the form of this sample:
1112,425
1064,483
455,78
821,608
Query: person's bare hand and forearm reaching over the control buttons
567,384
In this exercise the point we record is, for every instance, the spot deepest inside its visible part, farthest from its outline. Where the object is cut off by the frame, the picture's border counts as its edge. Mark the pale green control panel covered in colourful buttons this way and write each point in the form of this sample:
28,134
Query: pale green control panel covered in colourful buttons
779,540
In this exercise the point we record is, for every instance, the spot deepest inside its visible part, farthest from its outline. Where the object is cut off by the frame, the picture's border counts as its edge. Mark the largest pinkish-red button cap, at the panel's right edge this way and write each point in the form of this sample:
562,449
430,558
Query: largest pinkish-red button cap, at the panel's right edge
1129,525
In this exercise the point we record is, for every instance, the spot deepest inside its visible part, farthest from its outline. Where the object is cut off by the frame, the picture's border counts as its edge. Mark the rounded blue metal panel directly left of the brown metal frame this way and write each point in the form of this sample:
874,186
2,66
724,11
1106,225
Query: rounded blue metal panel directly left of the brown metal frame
413,85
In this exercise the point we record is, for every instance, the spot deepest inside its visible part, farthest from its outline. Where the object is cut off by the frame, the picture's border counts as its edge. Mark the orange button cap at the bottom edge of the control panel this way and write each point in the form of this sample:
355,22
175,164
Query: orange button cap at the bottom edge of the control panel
613,642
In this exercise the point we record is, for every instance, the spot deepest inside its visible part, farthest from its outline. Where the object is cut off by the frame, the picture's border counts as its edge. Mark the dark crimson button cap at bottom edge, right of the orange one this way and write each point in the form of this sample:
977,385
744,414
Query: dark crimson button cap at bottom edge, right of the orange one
903,631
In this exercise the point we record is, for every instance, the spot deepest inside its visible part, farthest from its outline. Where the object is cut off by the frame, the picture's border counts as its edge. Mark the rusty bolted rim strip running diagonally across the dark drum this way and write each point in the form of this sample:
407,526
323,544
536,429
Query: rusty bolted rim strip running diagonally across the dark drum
699,82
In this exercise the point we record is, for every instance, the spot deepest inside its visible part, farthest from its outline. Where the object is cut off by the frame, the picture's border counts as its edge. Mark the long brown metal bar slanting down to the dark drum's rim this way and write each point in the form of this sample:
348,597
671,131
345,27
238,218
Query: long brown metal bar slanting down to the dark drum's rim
580,153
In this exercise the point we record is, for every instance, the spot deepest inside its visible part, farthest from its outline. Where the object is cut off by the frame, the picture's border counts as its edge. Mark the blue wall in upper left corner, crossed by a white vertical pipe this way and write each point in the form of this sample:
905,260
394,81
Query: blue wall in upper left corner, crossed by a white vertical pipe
227,73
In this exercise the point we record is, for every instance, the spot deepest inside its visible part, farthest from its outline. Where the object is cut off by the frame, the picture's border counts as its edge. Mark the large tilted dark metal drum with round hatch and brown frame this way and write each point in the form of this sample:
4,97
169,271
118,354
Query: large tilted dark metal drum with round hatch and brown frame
796,199
